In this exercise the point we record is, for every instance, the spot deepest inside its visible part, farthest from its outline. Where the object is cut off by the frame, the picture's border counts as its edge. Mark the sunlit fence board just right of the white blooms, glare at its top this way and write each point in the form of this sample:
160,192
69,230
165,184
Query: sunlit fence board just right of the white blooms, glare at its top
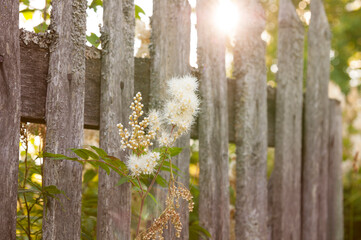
212,125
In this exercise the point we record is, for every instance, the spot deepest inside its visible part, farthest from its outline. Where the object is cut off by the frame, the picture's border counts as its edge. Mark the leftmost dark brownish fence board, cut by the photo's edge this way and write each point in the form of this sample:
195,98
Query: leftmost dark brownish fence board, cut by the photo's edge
9,116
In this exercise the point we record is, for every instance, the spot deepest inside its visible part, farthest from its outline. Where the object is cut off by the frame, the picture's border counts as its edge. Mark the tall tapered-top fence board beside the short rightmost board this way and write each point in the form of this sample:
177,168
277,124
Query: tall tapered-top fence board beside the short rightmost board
315,158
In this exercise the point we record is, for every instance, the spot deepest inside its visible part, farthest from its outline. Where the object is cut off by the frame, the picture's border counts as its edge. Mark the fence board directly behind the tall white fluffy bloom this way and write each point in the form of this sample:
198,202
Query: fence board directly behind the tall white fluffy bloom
170,51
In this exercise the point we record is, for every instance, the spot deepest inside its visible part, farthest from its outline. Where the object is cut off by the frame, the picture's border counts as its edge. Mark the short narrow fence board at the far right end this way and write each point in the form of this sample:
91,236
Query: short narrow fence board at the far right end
335,187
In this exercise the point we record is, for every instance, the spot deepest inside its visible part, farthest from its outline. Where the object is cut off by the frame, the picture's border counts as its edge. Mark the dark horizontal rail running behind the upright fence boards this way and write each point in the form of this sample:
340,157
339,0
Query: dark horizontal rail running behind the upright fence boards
34,57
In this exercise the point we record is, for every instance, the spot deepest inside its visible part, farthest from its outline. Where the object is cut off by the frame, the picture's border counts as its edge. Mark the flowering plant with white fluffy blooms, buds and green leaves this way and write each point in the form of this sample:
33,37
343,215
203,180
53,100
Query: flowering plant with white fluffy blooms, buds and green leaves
164,126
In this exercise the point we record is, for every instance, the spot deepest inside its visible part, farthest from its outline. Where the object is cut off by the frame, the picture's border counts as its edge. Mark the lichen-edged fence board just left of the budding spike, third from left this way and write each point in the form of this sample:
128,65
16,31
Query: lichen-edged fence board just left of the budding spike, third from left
117,88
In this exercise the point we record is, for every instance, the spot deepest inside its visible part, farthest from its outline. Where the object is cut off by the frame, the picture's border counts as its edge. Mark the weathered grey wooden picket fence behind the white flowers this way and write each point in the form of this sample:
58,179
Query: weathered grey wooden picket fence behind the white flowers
53,78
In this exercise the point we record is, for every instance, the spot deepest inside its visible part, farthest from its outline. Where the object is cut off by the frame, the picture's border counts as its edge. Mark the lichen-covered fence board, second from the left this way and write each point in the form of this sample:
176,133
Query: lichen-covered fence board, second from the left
65,117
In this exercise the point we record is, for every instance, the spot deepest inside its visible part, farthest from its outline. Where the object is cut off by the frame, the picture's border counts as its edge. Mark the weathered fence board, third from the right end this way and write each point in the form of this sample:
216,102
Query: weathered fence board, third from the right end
285,191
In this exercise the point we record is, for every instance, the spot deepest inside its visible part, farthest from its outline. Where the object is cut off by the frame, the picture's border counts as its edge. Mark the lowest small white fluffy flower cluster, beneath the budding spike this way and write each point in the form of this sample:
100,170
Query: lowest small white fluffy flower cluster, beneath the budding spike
144,164
